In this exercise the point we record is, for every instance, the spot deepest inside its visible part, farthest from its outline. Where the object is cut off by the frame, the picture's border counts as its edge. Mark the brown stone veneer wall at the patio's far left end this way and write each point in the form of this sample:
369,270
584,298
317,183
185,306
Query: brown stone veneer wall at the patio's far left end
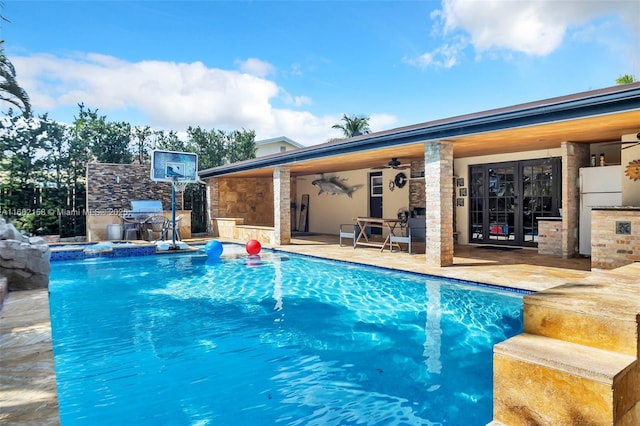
248,198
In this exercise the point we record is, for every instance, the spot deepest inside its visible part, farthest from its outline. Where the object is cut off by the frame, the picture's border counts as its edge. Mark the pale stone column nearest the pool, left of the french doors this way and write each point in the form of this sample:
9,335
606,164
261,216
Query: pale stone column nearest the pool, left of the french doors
438,177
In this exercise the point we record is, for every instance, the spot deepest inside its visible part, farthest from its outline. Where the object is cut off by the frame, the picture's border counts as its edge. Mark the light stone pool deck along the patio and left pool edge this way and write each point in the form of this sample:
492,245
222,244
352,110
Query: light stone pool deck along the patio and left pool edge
27,379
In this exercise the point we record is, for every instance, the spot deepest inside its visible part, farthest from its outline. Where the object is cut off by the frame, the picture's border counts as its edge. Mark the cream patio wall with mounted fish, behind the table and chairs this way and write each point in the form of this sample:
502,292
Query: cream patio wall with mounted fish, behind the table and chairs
327,212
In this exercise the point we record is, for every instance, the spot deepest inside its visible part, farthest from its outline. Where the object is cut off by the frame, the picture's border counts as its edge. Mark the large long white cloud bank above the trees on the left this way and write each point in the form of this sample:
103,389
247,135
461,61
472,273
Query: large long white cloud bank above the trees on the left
170,95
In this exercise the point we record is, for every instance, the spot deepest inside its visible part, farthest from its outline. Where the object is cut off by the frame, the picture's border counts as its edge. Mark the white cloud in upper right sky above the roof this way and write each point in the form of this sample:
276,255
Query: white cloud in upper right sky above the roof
533,27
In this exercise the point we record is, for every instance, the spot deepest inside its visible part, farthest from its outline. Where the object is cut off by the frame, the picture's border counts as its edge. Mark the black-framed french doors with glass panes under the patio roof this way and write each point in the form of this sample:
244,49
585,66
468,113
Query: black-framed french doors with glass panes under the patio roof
506,200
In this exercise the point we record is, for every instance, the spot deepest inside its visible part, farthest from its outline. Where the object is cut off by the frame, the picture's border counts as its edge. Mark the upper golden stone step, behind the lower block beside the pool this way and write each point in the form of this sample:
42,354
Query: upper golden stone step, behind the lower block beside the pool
604,317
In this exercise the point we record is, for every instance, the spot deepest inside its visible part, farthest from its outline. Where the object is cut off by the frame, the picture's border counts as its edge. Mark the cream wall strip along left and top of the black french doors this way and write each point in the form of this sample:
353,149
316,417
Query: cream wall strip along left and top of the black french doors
461,170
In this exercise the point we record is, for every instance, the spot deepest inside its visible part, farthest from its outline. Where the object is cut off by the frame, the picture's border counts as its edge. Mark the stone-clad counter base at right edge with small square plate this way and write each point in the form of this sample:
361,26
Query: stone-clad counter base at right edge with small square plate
610,250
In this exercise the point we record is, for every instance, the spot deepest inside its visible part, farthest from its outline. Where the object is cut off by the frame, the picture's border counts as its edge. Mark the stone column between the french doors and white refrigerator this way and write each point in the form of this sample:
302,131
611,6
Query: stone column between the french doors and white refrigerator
574,156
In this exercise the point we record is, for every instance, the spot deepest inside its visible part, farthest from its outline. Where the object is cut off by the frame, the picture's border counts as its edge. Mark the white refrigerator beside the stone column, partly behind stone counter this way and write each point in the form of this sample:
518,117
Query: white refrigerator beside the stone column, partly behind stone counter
599,187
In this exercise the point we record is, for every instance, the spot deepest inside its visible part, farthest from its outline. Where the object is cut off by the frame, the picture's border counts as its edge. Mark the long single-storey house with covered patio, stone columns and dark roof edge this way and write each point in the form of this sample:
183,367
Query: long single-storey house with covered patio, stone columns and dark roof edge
490,177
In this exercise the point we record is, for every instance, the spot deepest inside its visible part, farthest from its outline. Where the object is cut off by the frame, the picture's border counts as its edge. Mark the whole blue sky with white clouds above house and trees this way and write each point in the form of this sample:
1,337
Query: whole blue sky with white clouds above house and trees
293,68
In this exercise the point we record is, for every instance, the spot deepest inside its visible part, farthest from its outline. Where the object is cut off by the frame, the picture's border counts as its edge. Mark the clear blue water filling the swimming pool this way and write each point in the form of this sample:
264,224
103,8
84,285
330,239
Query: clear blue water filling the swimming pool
283,339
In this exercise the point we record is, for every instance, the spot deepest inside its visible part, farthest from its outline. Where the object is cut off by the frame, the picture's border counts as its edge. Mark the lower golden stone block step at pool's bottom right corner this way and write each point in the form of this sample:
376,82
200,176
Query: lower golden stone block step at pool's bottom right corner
542,380
